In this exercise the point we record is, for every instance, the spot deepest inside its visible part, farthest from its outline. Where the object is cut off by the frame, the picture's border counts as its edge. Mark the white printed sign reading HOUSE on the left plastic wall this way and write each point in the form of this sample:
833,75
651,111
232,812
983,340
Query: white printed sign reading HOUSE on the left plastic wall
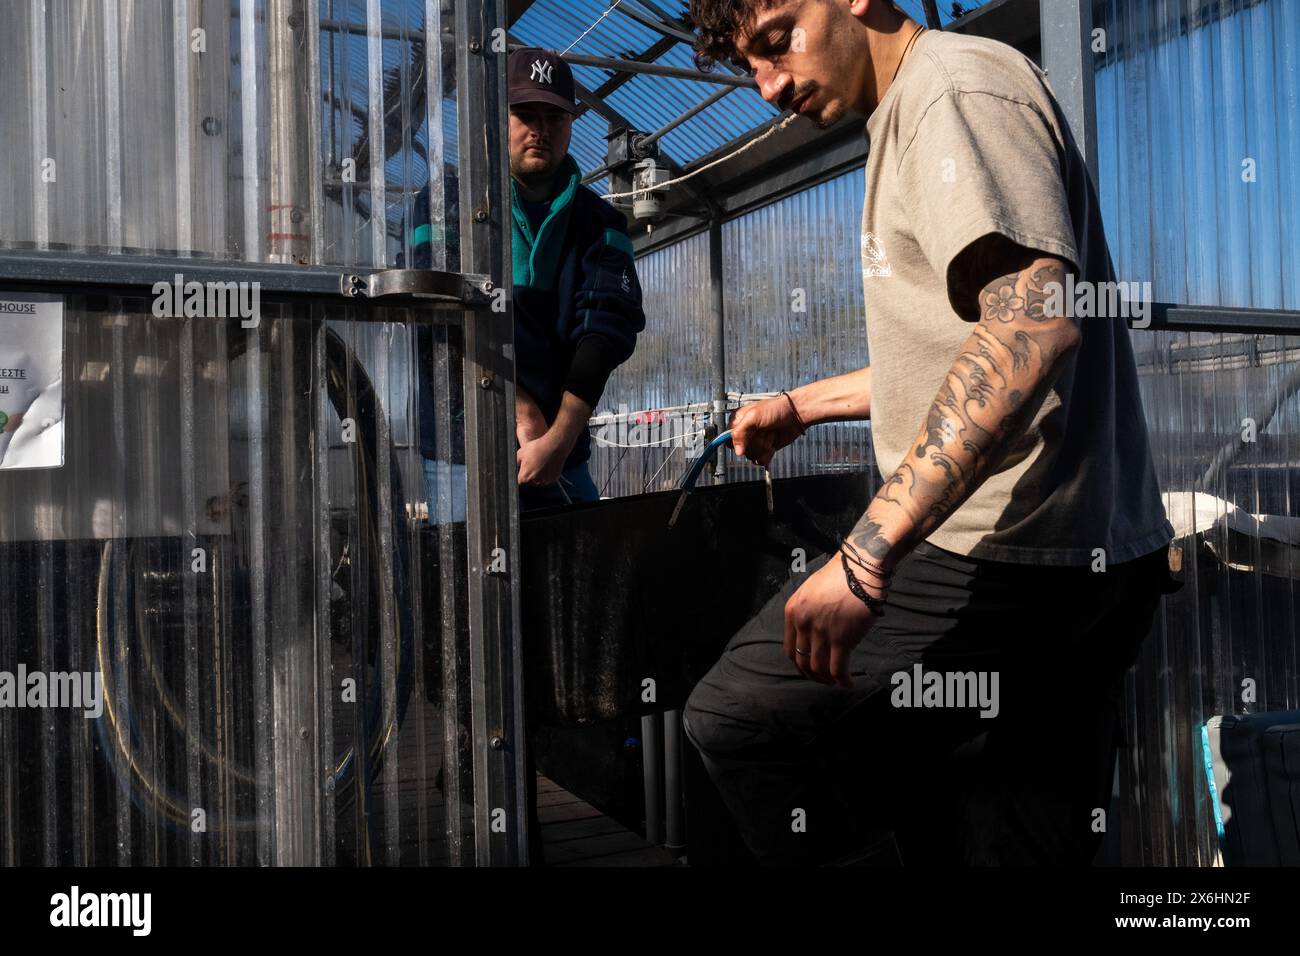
32,382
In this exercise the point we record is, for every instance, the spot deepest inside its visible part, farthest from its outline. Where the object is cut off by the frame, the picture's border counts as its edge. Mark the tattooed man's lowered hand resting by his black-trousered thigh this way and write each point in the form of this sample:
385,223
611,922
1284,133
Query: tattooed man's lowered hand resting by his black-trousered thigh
825,624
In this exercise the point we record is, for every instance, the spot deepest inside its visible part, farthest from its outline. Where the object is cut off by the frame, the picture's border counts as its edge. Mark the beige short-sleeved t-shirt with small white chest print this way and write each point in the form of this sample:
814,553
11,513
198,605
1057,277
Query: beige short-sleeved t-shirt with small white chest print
967,142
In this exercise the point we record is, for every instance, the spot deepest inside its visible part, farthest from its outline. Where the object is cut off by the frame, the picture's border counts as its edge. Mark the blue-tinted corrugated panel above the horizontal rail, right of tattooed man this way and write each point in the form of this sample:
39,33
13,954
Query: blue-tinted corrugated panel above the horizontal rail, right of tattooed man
1199,140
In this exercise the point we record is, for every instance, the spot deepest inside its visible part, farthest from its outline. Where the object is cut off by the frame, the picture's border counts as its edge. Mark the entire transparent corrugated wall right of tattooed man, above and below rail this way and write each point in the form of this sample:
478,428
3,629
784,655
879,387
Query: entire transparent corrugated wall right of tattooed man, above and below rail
1199,144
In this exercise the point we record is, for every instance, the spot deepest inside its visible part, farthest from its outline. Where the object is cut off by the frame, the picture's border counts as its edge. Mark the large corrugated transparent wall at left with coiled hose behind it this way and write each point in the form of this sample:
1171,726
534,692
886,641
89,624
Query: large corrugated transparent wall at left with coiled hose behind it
276,651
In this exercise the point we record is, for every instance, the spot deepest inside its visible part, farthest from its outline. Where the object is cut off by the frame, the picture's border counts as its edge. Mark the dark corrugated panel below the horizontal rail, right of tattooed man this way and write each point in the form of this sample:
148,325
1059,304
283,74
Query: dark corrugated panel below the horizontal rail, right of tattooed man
1224,416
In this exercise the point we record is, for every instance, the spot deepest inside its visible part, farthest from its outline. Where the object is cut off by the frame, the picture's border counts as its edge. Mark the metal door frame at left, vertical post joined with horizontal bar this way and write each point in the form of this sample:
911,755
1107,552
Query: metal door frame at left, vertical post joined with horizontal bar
480,296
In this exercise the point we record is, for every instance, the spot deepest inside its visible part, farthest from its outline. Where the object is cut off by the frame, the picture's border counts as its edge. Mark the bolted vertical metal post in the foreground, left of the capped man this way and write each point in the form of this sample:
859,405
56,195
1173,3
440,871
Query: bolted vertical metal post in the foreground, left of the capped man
497,693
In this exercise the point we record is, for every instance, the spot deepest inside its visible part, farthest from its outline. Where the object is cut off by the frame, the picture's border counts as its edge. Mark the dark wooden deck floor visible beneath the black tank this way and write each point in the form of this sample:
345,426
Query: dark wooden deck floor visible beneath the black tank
577,834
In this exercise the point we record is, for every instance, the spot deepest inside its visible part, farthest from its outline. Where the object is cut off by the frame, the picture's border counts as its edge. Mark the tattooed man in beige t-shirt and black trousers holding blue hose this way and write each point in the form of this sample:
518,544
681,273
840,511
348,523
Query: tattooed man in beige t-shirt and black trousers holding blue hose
1012,563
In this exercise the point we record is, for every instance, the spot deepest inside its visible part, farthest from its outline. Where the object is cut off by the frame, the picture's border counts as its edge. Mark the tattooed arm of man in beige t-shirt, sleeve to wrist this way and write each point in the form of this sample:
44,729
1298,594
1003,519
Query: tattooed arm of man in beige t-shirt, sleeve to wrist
987,399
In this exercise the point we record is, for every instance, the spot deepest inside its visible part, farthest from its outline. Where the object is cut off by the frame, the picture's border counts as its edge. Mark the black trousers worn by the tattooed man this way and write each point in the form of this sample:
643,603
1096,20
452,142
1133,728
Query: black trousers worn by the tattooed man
814,773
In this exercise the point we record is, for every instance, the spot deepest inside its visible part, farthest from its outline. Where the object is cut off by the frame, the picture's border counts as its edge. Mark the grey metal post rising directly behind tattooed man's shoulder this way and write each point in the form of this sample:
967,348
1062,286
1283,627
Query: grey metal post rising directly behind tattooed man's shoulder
1067,31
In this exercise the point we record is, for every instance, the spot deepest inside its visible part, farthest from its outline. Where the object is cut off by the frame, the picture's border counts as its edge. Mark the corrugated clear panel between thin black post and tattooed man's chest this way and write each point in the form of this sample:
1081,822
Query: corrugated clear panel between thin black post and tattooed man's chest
795,313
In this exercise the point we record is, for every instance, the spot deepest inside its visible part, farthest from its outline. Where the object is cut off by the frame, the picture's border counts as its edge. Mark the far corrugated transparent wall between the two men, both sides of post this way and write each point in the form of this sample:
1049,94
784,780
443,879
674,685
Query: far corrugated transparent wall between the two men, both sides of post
795,313
